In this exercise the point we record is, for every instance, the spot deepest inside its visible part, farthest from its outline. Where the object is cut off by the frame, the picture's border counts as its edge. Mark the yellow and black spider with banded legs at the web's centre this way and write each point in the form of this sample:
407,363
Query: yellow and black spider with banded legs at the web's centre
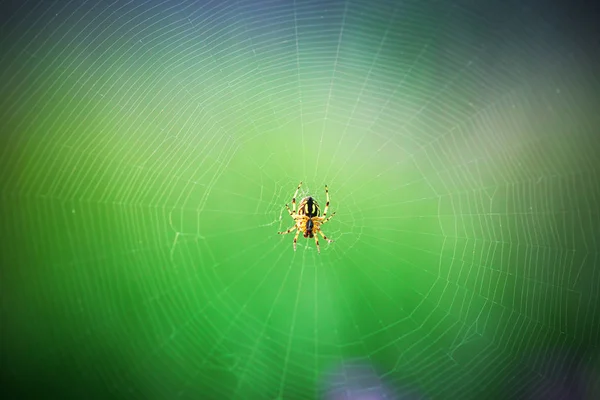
308,219
